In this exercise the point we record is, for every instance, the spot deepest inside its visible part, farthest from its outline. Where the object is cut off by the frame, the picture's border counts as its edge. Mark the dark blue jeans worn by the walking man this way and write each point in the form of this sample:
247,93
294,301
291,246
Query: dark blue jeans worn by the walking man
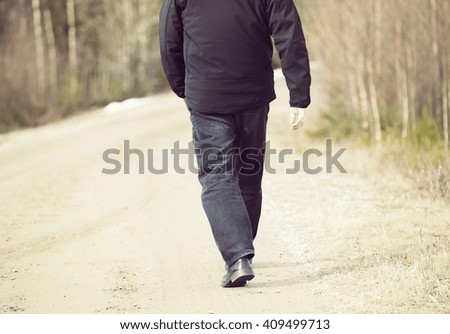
230,156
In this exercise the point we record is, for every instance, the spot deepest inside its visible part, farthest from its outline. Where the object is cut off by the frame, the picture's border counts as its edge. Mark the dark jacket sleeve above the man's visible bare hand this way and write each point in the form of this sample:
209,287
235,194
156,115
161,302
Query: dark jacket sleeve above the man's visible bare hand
286,28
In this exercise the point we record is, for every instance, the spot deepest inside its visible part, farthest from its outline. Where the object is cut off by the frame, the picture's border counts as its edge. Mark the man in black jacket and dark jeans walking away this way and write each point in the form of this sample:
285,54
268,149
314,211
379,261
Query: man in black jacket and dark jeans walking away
217,55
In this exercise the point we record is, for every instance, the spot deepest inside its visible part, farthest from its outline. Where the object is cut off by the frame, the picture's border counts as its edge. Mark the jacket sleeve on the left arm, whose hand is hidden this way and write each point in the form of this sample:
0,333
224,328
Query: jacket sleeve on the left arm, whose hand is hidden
171,45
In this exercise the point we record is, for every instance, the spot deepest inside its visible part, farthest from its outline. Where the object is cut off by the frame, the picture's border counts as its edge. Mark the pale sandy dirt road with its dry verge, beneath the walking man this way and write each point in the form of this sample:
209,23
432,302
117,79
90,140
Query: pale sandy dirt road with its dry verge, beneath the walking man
74,240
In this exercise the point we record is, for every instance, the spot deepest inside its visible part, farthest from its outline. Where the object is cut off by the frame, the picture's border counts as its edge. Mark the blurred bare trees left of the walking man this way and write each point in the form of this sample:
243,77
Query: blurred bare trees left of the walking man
57,56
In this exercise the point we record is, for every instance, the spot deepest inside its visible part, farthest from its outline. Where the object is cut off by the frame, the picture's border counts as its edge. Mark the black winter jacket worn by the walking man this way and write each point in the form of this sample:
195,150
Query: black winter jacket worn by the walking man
218,53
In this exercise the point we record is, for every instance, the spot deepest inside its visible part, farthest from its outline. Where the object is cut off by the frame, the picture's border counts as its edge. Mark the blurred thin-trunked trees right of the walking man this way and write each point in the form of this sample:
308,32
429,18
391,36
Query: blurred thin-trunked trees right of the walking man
390,65
